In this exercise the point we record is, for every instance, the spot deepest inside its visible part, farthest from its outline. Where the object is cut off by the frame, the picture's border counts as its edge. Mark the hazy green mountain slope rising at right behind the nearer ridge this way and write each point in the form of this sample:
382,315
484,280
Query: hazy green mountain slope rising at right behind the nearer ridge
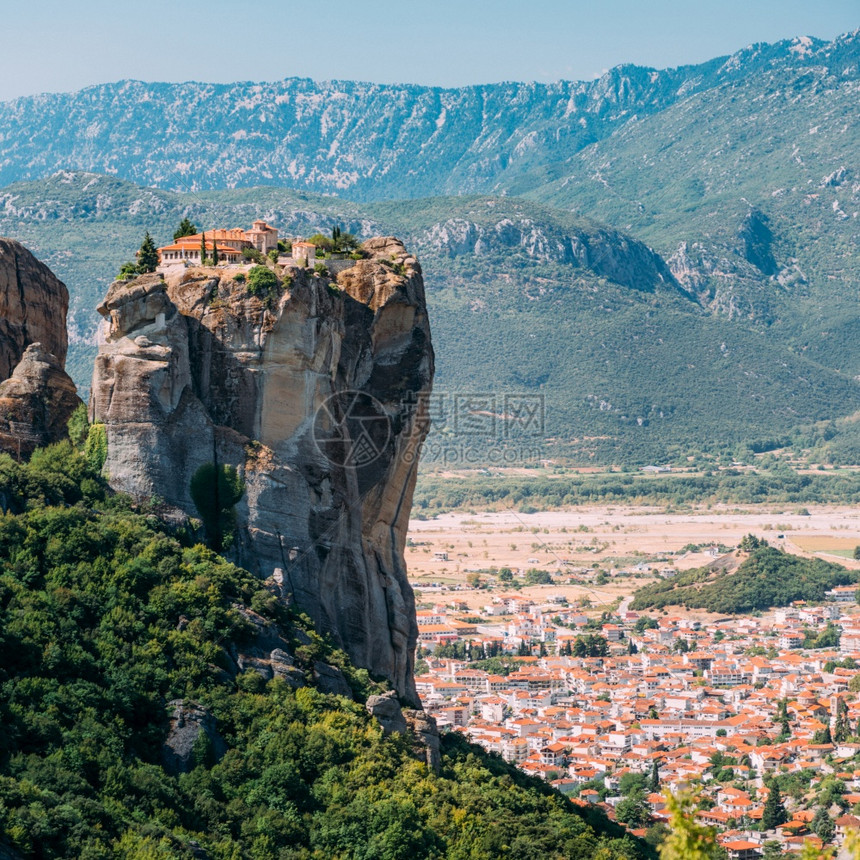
749,191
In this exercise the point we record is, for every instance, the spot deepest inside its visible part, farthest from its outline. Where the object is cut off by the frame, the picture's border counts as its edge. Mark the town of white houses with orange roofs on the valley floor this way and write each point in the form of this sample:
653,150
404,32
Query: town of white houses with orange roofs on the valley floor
669,699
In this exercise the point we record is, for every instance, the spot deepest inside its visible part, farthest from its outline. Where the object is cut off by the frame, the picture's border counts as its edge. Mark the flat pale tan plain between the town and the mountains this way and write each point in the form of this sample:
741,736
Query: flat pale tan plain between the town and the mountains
447,549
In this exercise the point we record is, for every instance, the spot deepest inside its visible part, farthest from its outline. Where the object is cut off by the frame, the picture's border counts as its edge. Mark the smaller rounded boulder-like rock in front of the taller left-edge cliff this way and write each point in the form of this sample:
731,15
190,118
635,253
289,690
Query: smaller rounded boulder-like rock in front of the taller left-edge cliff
35,403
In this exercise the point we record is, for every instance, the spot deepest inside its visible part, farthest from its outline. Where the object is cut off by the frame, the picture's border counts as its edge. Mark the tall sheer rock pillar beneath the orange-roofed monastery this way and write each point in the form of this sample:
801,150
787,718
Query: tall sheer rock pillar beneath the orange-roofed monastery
314,393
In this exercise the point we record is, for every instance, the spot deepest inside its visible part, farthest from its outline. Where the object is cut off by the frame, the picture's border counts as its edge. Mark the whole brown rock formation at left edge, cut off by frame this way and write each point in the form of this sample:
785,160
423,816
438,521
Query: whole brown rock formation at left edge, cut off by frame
37,397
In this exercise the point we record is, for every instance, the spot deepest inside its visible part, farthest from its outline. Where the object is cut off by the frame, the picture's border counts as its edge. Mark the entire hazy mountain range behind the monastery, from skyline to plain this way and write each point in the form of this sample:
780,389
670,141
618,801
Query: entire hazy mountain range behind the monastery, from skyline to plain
668,258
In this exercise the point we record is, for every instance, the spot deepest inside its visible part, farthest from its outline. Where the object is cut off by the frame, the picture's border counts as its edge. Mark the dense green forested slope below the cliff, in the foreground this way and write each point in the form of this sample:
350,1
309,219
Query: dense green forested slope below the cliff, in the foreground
105,617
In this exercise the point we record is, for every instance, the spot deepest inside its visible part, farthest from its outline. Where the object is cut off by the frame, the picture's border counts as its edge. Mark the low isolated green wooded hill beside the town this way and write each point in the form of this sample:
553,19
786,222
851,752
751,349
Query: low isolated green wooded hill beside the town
768,577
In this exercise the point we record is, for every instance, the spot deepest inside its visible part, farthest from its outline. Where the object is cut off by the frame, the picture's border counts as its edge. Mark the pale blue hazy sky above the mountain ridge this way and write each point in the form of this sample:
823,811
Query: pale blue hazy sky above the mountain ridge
58,45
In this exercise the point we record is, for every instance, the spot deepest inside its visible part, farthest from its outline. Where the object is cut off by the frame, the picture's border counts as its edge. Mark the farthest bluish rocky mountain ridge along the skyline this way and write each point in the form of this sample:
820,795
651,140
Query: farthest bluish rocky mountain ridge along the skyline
359,140
